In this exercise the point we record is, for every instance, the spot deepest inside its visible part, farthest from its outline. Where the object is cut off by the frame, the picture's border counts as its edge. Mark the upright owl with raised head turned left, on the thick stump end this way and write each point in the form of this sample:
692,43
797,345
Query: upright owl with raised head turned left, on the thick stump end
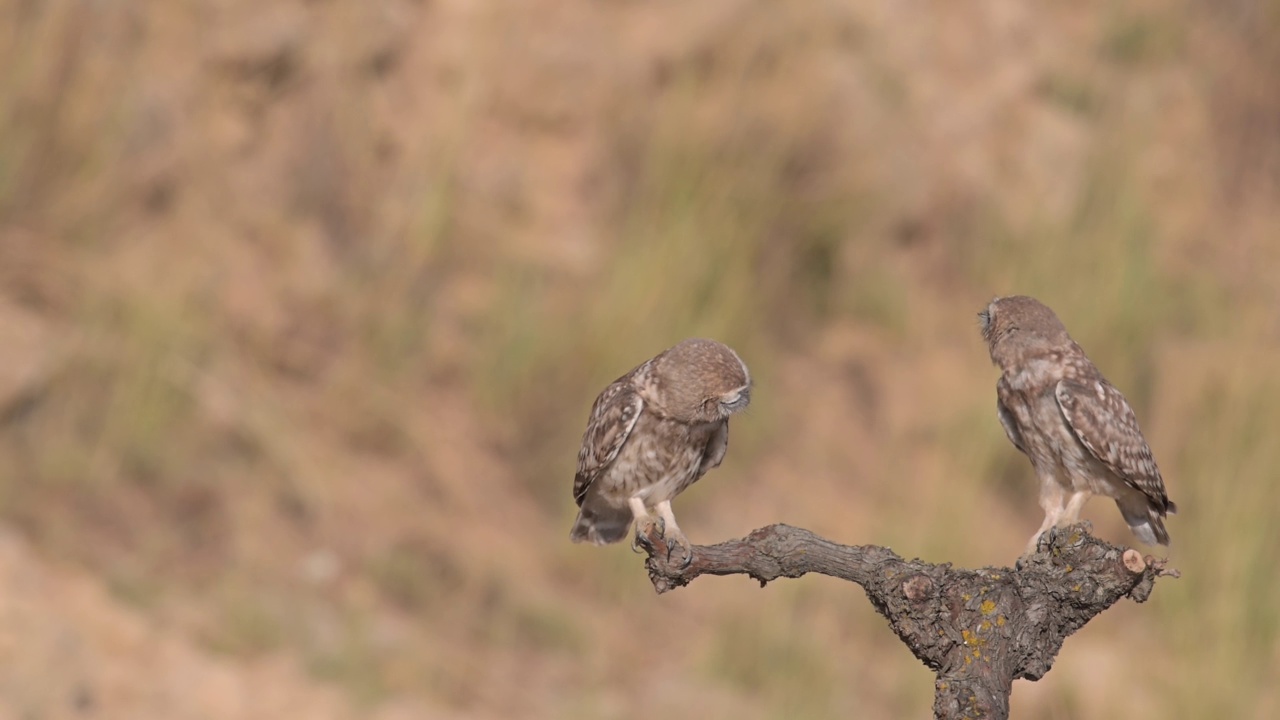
1078,431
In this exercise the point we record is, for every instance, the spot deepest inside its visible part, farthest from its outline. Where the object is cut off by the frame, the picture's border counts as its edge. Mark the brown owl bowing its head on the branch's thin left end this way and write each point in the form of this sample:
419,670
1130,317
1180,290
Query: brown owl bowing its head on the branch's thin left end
652,434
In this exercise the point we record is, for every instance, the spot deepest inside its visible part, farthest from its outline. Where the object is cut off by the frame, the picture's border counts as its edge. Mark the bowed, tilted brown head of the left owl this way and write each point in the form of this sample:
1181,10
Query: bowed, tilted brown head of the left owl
702,381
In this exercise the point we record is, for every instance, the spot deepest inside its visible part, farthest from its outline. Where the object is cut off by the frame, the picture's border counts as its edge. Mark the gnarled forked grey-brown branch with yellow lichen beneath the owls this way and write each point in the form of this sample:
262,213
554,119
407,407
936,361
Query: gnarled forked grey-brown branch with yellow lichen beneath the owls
979,630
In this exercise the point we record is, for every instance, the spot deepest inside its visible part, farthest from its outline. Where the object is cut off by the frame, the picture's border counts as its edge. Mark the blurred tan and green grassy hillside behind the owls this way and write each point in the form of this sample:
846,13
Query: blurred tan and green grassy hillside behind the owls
304,306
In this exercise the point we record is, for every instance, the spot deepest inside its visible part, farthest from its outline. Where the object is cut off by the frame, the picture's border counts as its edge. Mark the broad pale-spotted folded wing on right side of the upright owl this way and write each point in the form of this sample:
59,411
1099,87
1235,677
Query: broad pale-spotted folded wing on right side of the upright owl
1107,426
